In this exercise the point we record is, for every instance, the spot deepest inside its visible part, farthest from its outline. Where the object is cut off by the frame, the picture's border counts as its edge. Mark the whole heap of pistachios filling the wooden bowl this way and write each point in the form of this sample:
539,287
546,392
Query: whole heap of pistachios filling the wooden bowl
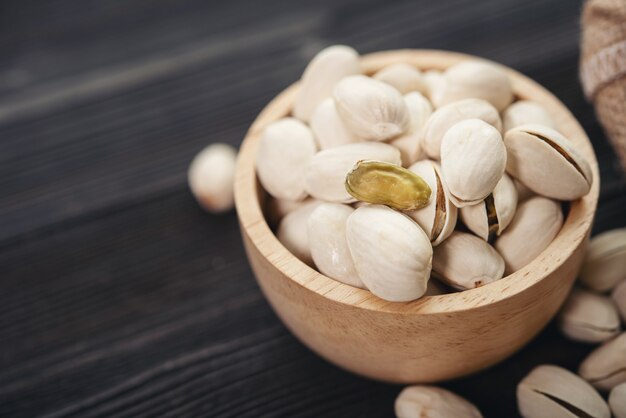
384,181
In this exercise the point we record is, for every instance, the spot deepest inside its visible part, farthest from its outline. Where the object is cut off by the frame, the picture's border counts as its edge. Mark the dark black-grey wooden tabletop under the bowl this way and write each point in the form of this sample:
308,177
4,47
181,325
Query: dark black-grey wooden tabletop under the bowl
118,295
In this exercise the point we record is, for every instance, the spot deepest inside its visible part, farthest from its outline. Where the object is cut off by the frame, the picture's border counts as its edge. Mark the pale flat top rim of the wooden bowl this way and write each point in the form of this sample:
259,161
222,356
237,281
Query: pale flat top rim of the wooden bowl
576,226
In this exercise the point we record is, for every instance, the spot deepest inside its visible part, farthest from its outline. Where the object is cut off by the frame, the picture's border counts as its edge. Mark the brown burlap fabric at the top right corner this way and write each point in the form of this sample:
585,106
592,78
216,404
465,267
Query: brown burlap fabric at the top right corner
603,66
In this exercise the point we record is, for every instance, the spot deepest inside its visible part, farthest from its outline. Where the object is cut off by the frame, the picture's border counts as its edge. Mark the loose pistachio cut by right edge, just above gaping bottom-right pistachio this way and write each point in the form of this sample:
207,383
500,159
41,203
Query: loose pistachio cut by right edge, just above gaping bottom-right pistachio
605,367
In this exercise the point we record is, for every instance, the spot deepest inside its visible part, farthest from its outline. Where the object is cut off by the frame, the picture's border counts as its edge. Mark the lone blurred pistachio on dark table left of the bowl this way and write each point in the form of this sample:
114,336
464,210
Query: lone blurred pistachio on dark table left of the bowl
211,176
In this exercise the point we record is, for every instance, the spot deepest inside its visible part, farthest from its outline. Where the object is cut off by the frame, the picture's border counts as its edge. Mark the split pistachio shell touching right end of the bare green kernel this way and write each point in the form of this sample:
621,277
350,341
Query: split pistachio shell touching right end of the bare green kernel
438,218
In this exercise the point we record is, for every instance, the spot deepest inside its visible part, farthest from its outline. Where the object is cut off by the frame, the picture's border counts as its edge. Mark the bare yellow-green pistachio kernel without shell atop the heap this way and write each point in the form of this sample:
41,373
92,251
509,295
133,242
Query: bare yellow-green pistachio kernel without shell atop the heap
387,184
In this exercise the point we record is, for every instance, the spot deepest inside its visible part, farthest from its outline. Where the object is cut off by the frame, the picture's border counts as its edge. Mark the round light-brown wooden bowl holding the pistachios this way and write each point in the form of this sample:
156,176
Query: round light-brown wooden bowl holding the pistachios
433,338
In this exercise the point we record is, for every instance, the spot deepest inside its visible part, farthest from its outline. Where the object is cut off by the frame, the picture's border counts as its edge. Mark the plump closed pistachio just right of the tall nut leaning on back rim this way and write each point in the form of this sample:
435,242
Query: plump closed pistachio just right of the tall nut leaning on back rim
370,109
